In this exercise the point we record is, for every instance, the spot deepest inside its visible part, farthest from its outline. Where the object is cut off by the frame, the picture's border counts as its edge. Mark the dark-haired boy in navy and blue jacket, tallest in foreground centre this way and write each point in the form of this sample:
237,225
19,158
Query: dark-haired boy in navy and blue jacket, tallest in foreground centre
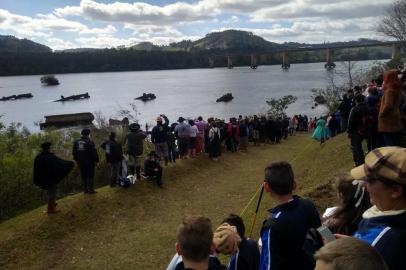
283,234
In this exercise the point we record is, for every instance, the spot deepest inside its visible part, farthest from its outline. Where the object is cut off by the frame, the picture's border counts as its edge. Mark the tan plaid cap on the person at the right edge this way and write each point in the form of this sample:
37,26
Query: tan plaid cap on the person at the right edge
386,163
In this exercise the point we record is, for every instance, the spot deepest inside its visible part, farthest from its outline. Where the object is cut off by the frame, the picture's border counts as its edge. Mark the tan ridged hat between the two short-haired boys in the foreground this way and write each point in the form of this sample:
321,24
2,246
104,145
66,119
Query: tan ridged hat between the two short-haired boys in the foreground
226,239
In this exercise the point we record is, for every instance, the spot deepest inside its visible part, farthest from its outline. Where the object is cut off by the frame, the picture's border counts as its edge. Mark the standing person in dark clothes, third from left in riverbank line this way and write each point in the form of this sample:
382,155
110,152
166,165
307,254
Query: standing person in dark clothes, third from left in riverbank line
114,156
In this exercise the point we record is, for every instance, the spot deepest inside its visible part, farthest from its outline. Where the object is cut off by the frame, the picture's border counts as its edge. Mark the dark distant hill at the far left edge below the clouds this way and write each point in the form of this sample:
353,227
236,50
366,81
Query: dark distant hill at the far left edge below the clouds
11,44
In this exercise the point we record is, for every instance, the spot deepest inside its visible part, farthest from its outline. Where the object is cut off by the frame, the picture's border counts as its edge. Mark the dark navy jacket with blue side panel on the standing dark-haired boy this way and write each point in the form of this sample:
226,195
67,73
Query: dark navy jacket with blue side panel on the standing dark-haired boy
284,233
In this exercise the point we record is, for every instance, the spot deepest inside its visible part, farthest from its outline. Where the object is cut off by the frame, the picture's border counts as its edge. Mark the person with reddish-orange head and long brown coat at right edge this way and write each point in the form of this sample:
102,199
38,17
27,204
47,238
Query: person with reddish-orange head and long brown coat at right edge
389,122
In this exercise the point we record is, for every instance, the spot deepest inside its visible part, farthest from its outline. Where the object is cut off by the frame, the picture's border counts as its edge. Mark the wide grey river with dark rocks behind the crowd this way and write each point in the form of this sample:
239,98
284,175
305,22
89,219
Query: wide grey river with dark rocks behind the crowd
188,93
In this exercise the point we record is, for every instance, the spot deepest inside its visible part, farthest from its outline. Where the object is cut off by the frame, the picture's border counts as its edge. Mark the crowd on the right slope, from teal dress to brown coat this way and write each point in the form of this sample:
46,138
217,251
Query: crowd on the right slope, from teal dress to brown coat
374,113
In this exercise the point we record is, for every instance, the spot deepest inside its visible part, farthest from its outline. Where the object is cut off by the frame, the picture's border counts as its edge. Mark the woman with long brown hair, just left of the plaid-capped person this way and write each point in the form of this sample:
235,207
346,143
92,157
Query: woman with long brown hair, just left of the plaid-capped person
354,201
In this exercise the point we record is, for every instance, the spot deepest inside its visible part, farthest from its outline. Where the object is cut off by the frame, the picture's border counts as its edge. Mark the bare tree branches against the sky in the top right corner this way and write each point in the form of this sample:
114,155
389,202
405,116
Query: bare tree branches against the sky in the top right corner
394,23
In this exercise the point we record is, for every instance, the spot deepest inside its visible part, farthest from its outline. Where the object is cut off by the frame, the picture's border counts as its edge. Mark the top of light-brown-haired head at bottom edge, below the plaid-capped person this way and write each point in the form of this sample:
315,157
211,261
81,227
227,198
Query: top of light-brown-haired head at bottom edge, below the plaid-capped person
348,254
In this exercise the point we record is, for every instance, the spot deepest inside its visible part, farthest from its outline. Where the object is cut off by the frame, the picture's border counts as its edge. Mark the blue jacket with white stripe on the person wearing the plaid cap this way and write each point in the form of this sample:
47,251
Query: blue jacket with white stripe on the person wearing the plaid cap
388,235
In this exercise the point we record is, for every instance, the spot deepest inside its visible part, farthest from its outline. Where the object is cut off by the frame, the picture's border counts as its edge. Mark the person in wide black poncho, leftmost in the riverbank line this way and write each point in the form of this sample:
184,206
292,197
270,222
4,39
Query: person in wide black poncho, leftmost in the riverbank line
49,170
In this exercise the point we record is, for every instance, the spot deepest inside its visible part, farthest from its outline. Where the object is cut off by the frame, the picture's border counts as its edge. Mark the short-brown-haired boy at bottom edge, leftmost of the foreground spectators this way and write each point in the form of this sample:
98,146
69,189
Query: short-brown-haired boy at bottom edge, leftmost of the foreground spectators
194,246
